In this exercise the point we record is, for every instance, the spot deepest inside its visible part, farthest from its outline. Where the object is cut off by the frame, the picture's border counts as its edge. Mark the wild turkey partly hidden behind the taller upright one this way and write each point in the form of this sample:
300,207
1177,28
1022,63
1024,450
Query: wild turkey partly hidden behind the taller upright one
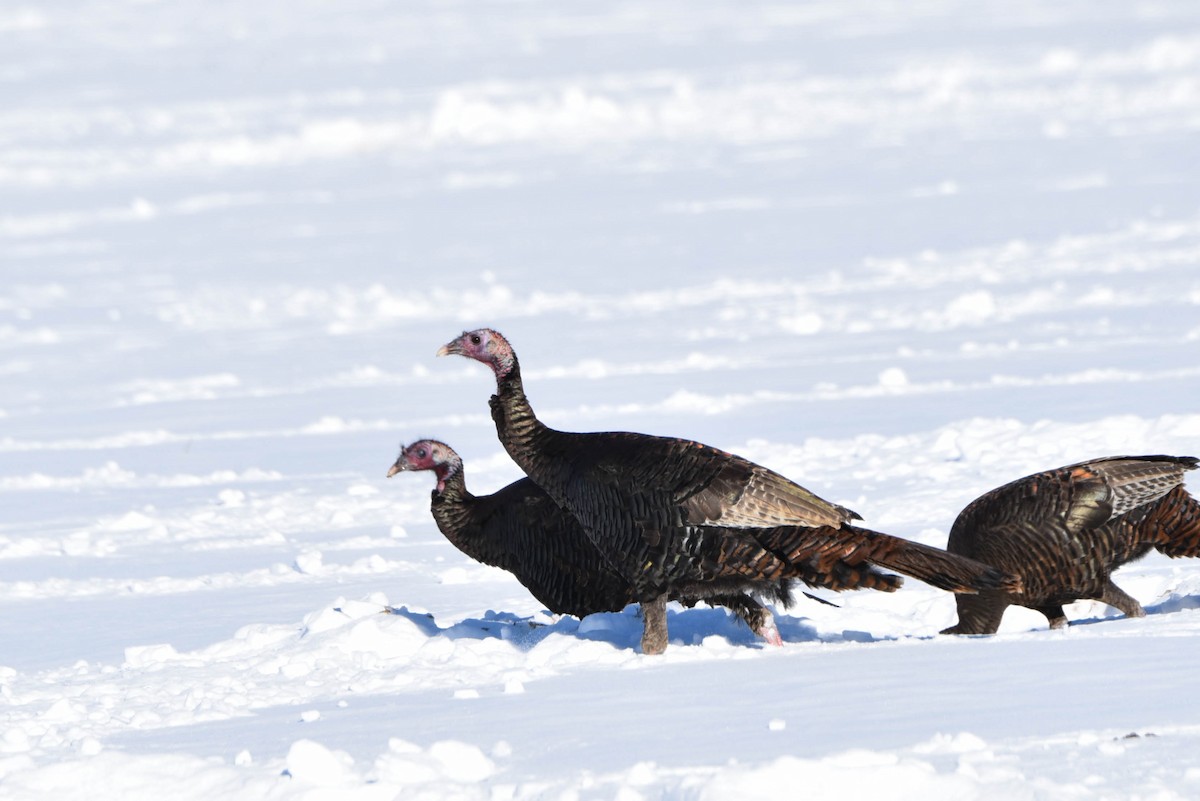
520,529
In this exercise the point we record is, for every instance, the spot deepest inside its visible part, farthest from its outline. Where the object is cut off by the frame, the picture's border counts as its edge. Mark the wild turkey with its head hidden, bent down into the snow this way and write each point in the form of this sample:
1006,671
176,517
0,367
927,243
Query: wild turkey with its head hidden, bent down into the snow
1065,532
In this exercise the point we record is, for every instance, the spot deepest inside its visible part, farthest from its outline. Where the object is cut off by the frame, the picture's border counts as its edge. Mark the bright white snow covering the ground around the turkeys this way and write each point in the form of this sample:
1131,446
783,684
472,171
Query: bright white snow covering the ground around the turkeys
901,252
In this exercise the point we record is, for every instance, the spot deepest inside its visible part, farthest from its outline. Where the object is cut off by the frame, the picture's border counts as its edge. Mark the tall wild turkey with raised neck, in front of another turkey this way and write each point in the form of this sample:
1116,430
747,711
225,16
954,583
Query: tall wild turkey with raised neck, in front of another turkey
675,516
